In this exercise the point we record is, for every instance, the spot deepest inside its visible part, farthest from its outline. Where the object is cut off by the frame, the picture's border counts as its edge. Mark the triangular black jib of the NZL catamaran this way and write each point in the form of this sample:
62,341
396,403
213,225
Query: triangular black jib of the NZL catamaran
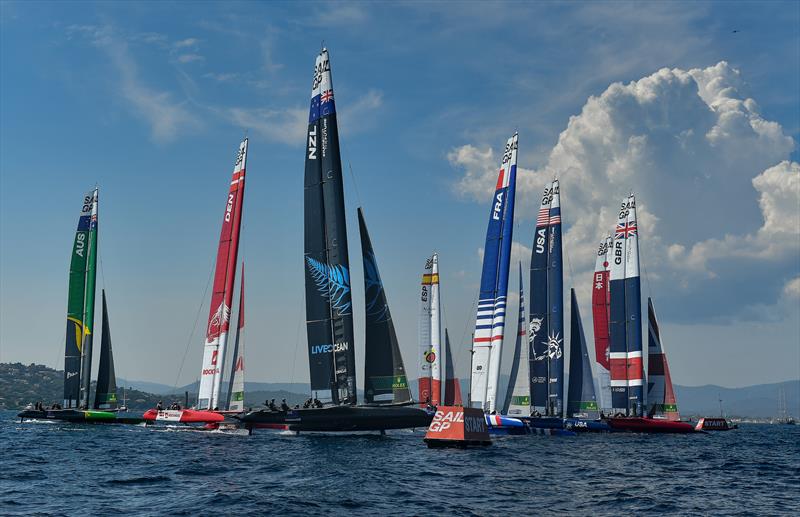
384,373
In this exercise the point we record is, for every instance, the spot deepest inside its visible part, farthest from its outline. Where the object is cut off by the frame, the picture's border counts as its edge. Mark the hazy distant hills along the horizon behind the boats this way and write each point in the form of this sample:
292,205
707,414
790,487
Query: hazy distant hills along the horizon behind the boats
21,384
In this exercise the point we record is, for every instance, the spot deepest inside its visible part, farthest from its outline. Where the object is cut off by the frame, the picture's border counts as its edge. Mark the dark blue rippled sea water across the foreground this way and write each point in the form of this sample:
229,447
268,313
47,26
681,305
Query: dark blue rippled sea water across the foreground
113,469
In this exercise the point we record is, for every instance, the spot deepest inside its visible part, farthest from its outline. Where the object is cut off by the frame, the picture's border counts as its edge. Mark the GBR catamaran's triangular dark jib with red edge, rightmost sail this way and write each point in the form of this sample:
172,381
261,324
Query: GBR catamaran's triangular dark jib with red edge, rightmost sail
660,393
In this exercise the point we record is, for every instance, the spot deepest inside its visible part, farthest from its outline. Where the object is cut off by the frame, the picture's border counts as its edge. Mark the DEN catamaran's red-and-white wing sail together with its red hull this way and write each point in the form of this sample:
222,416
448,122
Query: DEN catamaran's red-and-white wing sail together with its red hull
208,399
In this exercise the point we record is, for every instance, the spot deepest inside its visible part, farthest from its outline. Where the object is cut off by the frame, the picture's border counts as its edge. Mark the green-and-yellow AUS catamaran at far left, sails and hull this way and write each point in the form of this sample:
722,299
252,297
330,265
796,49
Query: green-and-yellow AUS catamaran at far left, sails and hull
80,335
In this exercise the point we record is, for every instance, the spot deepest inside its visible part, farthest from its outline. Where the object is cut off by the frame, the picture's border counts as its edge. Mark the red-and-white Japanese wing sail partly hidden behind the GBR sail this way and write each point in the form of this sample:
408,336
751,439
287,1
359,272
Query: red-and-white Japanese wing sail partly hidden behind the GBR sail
600,318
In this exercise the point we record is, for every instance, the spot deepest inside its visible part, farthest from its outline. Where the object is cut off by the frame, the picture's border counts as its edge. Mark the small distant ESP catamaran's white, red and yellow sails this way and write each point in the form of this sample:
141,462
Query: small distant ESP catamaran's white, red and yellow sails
431,353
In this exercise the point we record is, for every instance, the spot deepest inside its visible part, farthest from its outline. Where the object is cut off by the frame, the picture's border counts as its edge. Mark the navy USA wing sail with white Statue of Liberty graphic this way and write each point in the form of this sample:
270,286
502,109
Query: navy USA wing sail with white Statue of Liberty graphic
546,325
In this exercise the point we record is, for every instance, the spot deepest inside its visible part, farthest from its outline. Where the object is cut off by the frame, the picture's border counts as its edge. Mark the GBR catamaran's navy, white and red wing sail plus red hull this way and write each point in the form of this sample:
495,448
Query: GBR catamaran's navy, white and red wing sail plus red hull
625,332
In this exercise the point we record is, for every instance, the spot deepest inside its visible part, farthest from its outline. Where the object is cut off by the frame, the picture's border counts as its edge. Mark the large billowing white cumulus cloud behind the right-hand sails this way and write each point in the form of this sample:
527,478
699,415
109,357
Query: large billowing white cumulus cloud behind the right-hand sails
711,175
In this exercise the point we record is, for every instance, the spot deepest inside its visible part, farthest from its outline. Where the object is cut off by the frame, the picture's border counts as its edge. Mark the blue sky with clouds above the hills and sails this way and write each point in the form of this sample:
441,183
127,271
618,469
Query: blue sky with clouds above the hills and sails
693,106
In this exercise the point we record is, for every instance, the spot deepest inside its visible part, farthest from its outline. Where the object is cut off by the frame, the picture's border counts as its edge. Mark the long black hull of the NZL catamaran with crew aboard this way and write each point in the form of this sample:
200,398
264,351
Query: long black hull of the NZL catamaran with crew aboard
341,419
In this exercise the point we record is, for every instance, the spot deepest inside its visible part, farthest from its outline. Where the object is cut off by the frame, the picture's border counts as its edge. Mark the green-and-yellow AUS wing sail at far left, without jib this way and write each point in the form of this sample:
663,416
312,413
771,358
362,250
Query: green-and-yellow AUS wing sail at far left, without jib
76,310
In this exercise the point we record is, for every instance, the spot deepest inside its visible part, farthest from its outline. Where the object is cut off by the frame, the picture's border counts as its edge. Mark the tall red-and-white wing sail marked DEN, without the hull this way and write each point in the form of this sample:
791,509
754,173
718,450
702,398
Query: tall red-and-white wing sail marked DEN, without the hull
222,295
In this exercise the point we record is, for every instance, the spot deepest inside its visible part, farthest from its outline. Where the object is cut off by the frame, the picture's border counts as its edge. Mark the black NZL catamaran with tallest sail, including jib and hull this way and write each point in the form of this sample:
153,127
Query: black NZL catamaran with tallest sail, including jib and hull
329,310
